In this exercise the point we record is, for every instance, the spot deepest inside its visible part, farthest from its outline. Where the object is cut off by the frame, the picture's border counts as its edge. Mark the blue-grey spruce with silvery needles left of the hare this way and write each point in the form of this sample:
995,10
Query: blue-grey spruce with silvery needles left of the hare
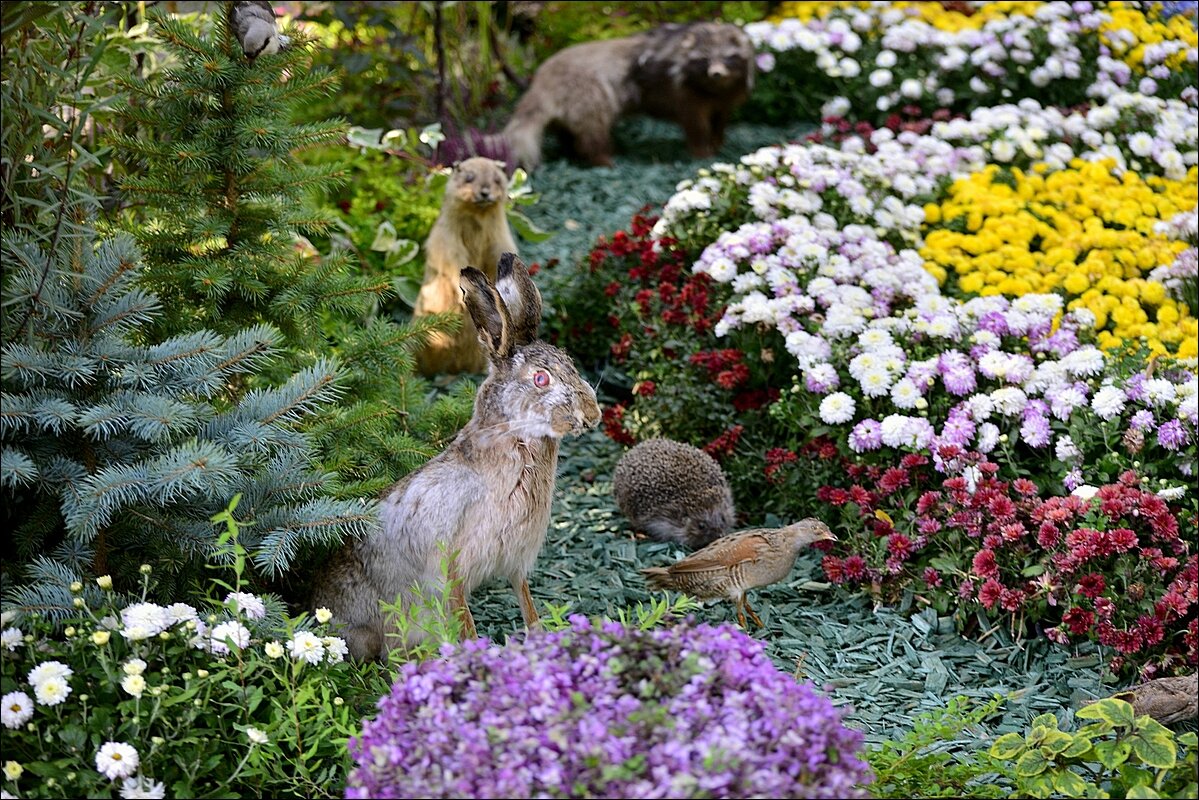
116,453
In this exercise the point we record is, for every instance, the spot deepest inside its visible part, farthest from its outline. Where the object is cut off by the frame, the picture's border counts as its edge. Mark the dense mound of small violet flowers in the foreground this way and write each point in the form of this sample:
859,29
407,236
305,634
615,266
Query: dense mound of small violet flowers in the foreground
599,711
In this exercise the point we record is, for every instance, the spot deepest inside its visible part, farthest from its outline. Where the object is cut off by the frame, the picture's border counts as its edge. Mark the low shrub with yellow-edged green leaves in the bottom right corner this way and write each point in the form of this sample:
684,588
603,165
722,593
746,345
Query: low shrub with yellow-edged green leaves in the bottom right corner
1117,756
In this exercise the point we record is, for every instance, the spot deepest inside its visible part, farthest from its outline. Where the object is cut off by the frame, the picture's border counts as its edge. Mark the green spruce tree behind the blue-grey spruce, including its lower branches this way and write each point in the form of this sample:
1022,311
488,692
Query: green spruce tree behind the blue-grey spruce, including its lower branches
222,206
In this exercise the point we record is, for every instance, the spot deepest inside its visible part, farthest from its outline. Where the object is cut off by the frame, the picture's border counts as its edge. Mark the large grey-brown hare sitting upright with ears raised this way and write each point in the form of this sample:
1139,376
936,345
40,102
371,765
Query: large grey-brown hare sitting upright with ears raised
485,501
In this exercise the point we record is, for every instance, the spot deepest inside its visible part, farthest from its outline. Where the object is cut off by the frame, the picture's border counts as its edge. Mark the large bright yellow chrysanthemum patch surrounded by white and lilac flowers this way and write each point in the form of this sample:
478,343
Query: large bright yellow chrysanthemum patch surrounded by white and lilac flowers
1082,232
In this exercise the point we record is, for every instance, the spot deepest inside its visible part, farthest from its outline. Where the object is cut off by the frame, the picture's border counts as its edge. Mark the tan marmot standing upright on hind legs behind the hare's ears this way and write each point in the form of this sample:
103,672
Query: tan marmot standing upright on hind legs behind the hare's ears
472,231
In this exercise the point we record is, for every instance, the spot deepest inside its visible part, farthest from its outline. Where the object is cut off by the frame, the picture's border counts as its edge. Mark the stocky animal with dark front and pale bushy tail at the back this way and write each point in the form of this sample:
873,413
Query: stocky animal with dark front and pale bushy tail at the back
694,75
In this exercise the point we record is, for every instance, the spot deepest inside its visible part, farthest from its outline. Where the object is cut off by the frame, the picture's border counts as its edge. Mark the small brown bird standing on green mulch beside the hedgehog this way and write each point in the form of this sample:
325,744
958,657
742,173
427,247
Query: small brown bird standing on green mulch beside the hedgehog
739,562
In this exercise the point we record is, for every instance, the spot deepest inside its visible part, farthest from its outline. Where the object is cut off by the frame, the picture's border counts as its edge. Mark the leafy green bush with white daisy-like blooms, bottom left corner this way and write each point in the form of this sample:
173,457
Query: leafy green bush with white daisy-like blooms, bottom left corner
137,700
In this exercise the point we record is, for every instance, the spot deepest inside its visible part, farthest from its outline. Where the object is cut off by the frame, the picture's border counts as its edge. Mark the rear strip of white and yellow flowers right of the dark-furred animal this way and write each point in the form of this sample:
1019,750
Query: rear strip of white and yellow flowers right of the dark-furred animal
887,56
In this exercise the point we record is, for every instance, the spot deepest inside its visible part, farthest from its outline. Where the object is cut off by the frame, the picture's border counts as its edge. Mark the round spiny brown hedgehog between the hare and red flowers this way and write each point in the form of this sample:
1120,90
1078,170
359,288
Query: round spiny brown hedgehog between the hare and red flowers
674,492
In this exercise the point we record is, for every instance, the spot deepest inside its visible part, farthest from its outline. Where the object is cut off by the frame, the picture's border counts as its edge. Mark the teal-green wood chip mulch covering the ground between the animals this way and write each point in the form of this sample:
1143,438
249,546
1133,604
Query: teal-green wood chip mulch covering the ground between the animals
887,665
